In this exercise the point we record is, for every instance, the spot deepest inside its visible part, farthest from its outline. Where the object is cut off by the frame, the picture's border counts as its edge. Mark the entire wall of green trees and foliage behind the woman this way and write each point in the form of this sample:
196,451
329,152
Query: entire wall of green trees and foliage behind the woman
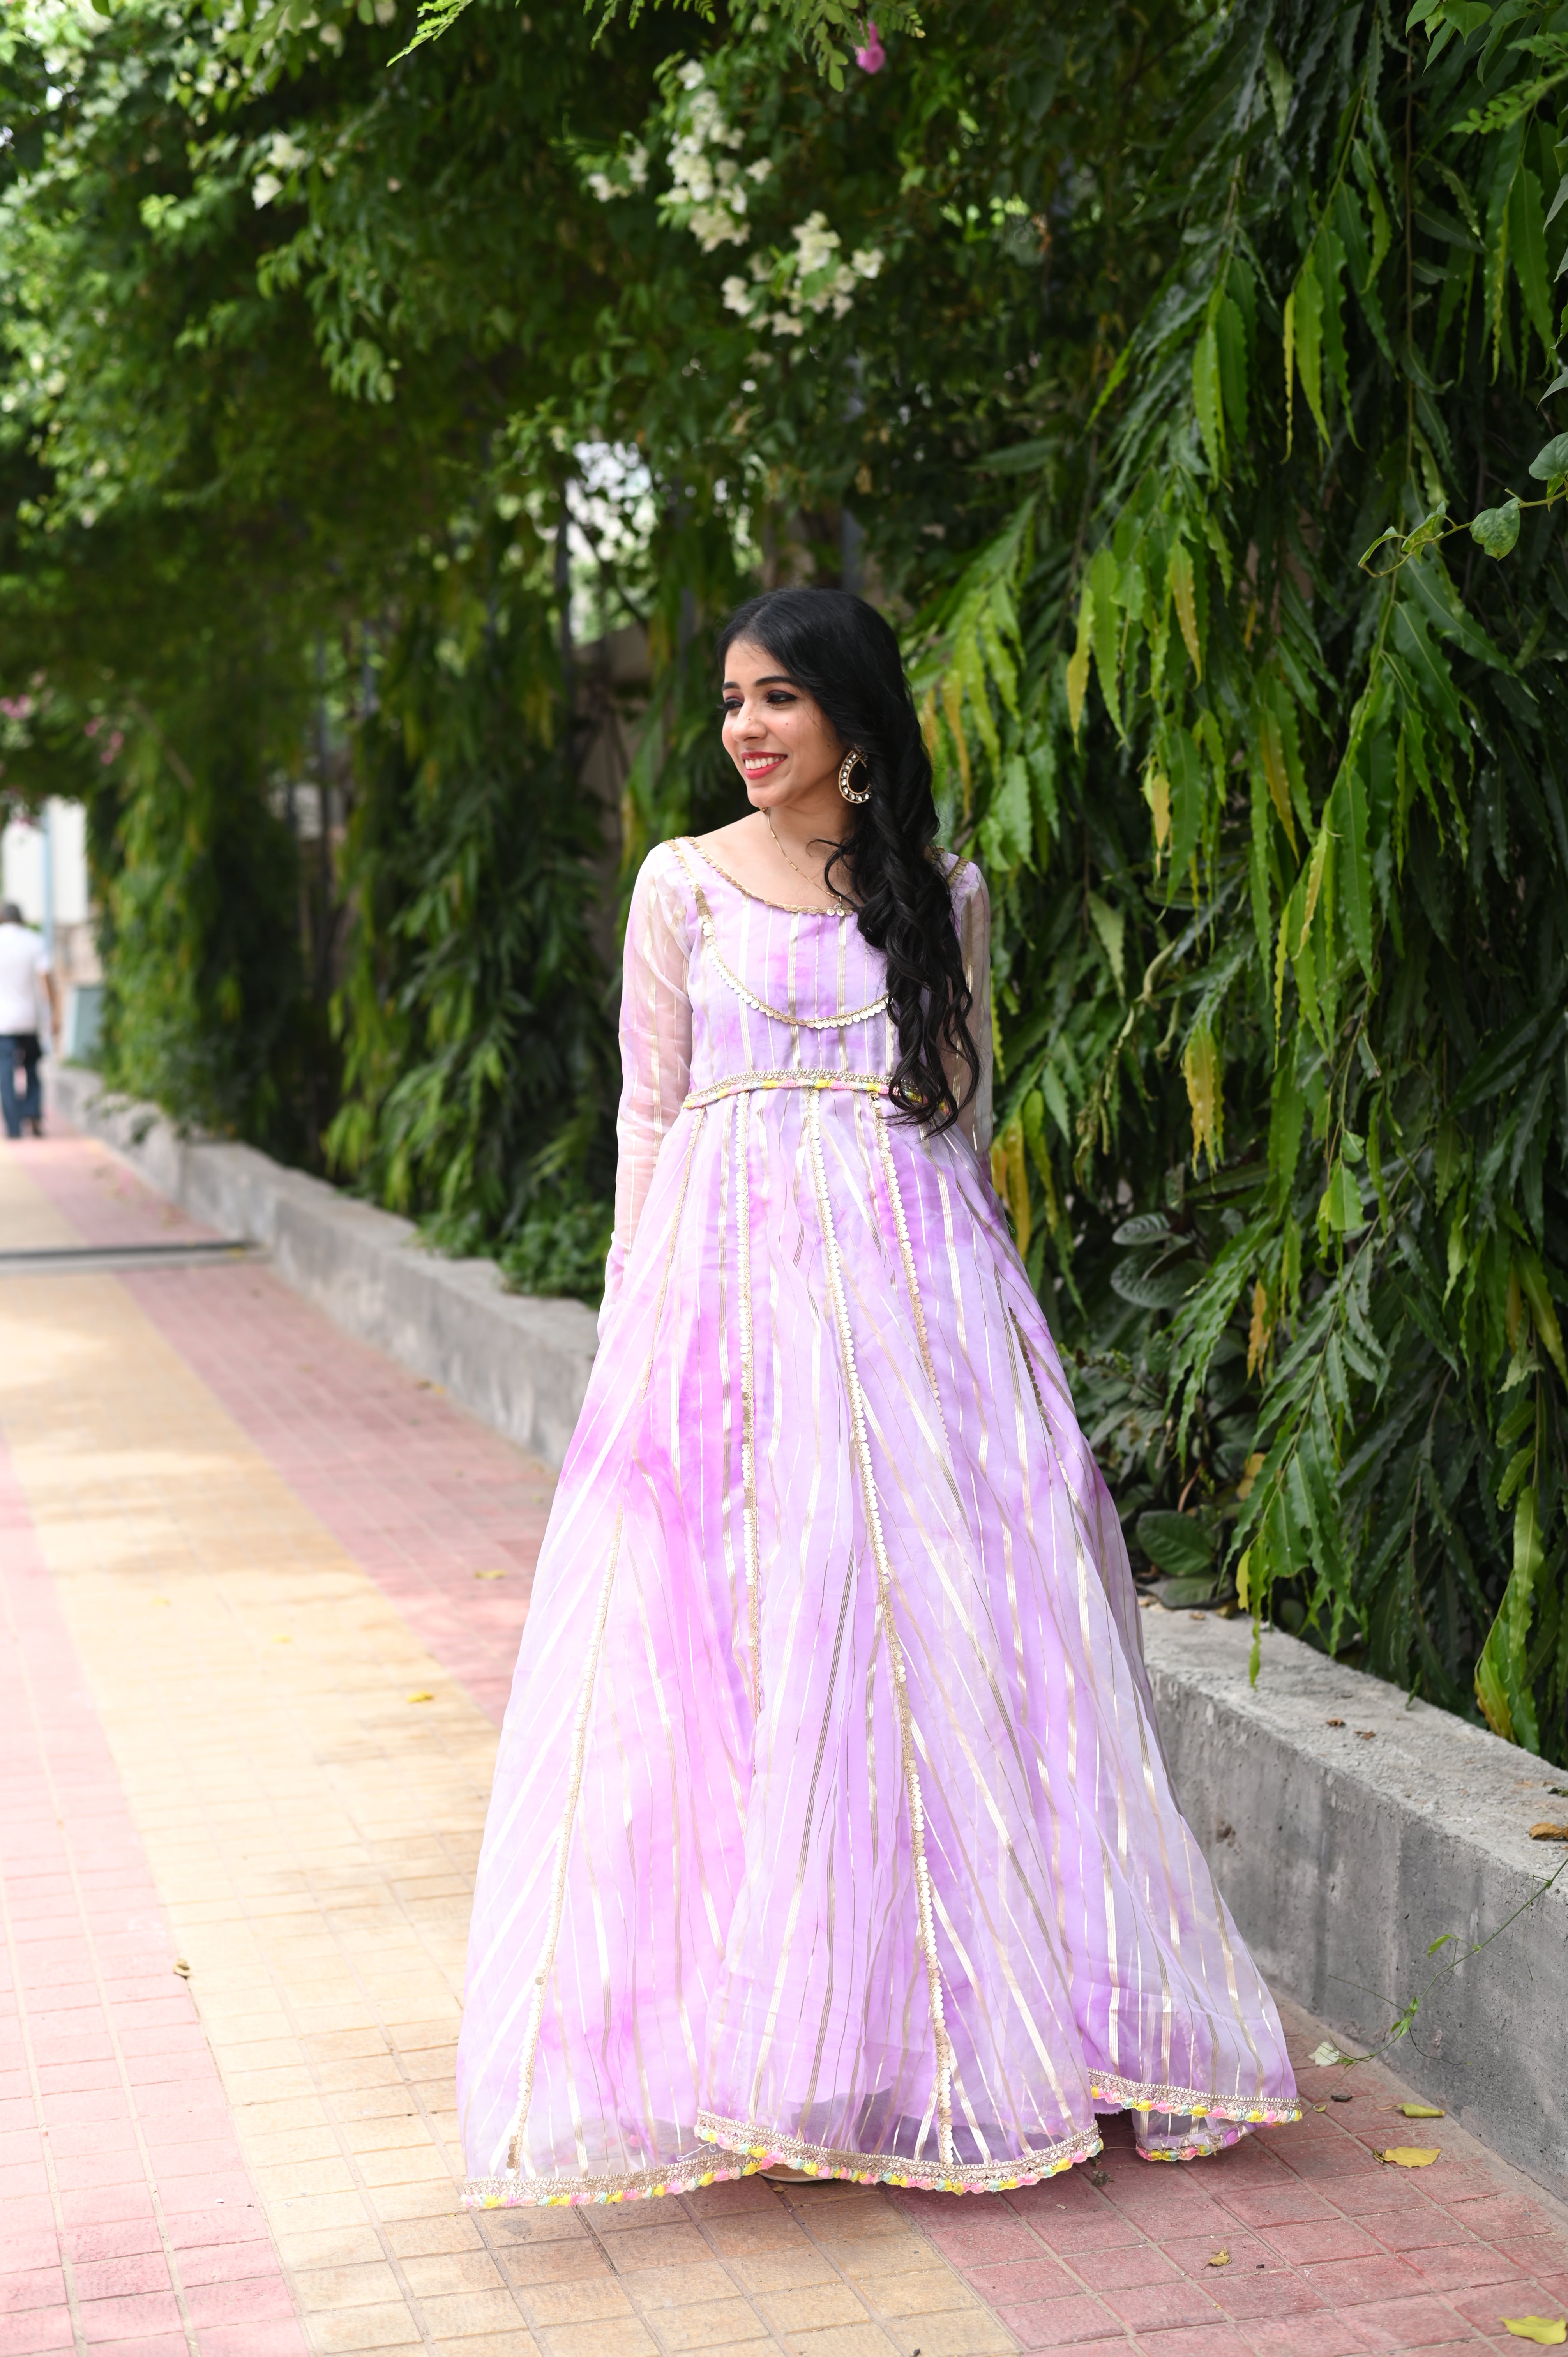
1152,369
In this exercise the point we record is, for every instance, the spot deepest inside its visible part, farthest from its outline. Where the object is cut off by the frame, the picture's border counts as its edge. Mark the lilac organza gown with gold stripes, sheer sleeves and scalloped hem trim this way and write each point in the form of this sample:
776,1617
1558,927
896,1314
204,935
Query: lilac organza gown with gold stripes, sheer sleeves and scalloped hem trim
831,1821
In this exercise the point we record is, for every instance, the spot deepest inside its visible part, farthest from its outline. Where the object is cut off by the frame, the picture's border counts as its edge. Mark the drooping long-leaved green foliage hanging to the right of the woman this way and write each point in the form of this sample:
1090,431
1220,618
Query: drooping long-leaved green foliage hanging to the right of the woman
1319,807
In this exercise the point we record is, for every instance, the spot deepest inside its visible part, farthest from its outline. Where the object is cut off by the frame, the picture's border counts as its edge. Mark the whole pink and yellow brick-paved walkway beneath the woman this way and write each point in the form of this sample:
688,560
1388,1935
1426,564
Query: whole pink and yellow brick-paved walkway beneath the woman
249,1689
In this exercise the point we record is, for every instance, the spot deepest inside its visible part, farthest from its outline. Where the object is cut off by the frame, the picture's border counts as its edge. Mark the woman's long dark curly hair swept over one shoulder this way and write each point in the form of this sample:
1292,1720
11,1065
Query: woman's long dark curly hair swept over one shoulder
848,659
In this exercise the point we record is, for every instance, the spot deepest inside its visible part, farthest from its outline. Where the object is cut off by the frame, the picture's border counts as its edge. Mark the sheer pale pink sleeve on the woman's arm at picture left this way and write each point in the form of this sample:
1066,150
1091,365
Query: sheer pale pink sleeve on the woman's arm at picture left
654,1052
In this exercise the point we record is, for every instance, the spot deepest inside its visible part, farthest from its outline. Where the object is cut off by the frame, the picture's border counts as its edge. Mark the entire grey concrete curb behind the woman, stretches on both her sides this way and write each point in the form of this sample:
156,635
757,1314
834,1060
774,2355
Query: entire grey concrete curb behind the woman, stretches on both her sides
1345,1851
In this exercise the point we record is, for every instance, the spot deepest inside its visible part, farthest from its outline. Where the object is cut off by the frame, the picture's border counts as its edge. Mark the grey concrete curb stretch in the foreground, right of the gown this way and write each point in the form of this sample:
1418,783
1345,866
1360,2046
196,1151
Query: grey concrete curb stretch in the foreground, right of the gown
1345,1851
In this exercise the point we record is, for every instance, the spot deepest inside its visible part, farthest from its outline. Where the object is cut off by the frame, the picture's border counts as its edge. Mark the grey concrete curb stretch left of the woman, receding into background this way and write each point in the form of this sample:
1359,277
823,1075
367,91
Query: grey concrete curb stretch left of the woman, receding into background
522,1366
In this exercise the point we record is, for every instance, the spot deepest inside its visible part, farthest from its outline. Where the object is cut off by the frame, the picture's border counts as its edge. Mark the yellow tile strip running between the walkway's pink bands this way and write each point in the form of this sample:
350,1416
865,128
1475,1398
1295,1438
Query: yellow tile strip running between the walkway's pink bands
315,1830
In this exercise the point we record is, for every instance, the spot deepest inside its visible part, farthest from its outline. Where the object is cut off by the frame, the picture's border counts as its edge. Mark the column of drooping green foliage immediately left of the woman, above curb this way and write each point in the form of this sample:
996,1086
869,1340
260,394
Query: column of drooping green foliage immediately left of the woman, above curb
477,1050
